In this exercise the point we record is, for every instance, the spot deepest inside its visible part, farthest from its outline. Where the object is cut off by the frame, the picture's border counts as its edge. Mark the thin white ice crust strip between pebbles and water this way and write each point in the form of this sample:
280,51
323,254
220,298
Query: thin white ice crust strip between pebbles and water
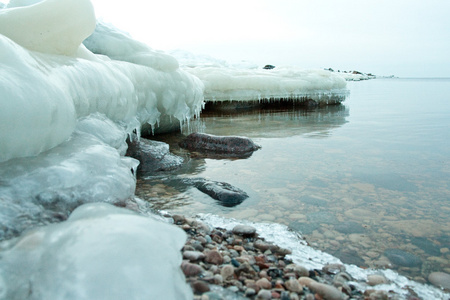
304,255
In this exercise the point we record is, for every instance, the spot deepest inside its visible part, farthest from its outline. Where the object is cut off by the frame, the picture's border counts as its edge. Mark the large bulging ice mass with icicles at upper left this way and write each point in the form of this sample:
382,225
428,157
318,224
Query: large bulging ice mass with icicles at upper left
46,87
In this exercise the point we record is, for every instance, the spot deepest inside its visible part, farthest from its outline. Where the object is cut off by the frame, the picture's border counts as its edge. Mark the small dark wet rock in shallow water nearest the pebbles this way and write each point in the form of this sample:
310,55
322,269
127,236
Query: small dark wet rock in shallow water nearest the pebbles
227,194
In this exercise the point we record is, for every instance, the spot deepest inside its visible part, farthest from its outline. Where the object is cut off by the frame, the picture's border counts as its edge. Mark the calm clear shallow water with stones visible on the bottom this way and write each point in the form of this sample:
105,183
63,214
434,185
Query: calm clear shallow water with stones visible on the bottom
366,181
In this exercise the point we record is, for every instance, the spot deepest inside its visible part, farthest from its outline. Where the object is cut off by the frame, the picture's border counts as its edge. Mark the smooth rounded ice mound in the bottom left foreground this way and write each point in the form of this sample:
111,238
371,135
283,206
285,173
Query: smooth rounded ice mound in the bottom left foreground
100,252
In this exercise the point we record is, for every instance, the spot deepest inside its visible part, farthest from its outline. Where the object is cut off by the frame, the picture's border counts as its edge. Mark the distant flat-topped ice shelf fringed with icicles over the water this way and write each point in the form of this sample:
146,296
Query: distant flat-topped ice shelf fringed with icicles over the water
244,82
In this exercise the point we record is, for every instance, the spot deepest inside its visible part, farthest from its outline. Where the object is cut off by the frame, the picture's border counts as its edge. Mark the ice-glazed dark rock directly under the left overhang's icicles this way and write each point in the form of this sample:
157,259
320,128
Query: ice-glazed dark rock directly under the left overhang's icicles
153,156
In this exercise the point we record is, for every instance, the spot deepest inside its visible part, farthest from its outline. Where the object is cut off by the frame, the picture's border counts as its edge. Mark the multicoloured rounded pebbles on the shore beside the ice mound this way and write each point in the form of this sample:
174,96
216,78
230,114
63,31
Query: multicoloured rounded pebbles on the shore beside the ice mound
238,264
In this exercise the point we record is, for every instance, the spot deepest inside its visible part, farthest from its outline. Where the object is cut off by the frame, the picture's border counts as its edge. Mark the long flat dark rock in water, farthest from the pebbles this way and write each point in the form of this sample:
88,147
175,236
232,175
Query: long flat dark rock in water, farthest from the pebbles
232,146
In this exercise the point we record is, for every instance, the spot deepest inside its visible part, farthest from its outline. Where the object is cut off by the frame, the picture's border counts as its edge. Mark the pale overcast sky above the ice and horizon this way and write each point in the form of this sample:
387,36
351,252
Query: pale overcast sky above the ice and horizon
407,38
